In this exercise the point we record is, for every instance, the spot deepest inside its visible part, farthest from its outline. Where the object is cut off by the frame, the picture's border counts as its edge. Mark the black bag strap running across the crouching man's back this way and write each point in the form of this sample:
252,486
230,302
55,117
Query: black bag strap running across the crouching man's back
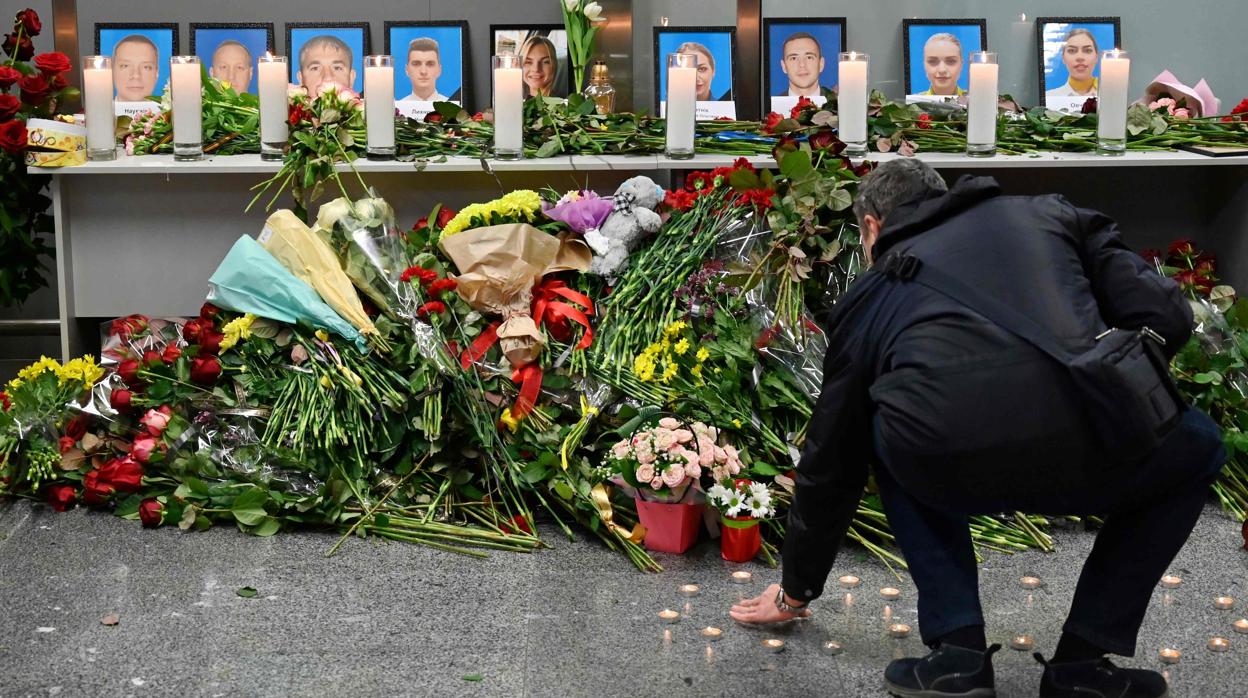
909,268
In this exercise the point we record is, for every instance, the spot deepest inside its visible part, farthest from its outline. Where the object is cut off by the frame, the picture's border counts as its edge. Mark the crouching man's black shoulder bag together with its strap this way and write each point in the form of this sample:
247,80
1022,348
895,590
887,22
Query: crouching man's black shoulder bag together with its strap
1124,380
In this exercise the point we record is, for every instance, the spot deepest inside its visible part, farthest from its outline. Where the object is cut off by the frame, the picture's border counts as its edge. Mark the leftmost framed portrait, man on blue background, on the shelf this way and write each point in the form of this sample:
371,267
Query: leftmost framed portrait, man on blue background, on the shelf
140,61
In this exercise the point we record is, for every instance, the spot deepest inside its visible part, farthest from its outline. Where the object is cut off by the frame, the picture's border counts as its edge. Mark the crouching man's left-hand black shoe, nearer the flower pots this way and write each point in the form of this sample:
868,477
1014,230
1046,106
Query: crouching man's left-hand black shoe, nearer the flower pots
948,672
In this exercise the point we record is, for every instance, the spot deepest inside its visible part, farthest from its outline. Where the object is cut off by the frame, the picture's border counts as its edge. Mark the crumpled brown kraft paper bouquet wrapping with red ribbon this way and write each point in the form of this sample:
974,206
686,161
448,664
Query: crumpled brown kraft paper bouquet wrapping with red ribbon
499,268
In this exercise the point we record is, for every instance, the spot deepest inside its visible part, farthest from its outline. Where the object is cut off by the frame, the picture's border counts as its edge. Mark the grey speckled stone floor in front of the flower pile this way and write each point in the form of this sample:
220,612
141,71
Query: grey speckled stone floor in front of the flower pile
577,620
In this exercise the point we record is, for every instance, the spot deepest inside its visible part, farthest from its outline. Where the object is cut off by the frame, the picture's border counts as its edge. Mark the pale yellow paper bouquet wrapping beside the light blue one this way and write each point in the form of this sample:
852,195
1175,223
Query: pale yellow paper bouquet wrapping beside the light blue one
313,260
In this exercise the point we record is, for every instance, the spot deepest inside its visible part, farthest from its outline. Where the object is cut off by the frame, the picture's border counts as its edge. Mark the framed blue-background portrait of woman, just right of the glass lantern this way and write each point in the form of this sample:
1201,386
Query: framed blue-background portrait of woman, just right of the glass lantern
716,48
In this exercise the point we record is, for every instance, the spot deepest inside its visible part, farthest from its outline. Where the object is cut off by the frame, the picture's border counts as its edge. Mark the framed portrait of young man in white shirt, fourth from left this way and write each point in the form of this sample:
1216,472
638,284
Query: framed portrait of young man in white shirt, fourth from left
431,64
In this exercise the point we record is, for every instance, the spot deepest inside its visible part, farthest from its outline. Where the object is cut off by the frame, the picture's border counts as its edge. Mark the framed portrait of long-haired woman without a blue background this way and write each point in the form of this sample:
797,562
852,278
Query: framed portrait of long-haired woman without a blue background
544,51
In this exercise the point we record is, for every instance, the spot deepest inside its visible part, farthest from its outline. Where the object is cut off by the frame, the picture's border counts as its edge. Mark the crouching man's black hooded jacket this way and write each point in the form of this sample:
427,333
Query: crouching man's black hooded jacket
1063,267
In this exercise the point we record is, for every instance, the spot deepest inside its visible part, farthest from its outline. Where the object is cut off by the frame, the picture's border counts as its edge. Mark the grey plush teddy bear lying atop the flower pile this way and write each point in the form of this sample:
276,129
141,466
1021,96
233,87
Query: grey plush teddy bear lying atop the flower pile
632,218
